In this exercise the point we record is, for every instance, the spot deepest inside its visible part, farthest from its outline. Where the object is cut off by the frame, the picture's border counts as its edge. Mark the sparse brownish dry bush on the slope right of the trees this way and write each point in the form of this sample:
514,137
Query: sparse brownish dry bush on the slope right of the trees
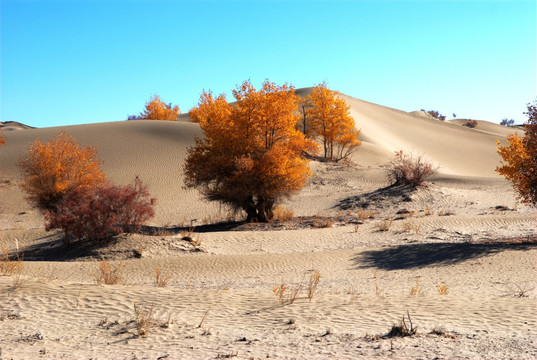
408,169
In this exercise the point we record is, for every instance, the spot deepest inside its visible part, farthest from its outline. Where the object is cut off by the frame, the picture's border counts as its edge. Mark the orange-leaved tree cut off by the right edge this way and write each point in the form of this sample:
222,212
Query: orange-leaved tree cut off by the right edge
520,159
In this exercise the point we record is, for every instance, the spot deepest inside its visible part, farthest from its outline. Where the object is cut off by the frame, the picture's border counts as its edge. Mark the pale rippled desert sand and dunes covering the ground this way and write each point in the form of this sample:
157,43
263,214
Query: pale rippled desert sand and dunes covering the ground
464,231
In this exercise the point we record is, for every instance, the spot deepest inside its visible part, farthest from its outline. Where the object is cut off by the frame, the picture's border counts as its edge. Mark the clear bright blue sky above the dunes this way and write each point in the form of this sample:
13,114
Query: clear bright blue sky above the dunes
72,62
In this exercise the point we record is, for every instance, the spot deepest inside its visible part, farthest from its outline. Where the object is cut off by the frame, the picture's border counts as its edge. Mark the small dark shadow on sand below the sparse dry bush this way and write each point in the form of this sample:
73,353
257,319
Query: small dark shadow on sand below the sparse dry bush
392,194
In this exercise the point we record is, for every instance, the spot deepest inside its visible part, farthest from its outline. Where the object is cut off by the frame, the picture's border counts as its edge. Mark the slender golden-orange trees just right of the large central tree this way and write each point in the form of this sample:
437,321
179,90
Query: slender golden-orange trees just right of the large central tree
331,122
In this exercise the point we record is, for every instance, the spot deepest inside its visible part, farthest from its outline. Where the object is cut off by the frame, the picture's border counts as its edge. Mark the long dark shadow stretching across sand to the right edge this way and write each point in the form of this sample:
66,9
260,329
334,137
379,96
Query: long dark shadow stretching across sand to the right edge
416,256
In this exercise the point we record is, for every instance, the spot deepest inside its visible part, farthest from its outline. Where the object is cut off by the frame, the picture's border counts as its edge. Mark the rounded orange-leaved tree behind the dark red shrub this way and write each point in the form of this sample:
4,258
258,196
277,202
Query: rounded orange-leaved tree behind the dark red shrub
54,169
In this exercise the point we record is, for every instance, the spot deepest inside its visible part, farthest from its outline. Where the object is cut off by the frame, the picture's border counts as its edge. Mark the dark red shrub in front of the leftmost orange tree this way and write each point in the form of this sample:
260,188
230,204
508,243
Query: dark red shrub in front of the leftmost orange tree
101,213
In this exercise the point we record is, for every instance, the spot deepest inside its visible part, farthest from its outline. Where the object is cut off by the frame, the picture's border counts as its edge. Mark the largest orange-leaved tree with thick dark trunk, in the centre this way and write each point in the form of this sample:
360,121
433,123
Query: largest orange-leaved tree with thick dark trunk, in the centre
251,155
